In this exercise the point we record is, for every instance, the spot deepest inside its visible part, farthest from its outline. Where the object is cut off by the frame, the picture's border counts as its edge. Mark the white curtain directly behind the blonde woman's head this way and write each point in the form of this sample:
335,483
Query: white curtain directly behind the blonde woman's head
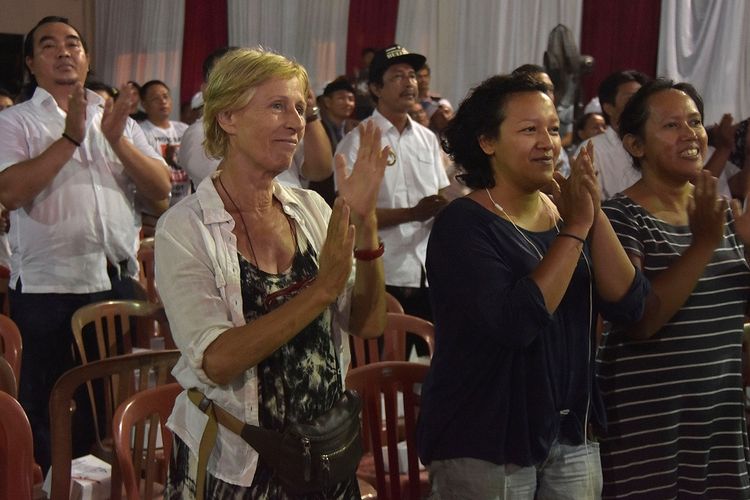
311,31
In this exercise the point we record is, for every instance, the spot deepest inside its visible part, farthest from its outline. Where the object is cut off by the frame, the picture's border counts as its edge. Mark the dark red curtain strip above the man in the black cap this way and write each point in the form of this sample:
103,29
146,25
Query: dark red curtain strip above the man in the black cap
371,24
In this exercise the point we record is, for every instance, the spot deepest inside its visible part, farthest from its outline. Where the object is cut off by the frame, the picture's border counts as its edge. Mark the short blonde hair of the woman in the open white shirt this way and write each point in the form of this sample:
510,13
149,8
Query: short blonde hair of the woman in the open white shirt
232,84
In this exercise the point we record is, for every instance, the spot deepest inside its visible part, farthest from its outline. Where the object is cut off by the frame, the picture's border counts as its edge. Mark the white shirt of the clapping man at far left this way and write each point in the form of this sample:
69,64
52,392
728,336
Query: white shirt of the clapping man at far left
62,240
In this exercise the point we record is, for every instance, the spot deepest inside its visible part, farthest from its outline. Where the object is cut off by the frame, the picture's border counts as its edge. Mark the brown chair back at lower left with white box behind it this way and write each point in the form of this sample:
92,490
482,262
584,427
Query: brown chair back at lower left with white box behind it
118,377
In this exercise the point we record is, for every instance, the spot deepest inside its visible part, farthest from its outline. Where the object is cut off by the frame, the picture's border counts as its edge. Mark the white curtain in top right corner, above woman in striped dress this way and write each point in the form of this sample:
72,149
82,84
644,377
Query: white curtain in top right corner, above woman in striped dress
707,43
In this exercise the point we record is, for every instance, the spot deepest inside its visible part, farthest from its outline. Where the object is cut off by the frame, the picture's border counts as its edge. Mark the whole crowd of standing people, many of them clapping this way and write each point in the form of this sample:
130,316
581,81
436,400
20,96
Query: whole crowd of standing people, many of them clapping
282,218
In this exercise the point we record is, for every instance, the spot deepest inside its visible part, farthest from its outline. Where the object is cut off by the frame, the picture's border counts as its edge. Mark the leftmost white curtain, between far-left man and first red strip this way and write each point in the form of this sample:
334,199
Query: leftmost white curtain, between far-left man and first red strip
140,40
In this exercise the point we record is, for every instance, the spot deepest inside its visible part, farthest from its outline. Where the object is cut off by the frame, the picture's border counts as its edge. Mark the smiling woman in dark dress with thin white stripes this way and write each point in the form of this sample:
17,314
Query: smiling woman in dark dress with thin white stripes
672,382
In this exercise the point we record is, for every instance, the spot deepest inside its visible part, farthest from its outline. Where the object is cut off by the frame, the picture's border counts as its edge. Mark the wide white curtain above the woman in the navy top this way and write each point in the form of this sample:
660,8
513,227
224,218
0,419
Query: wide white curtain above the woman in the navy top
467,41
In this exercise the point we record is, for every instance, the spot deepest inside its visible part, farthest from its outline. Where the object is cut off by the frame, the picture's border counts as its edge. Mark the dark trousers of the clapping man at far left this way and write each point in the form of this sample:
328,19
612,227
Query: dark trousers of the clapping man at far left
44,322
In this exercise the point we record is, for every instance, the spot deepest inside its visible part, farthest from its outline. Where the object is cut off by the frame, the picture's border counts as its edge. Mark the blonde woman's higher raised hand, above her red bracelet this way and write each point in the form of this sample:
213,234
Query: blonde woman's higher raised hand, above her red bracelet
360,188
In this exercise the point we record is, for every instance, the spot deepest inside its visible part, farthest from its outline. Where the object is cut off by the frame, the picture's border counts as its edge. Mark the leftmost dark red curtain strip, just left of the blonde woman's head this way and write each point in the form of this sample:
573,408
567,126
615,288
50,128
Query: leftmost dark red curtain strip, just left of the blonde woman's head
205,31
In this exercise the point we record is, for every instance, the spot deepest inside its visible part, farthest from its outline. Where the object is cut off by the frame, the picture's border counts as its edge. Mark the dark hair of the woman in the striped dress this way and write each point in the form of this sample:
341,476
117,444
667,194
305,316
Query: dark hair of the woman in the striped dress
634,116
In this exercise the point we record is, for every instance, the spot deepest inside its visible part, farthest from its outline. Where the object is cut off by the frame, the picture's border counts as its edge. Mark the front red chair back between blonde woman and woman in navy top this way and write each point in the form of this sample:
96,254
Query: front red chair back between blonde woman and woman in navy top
381,385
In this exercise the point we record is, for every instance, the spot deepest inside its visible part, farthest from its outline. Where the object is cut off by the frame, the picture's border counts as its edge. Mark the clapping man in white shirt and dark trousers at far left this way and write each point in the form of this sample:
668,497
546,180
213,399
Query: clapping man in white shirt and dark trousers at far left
70,167
